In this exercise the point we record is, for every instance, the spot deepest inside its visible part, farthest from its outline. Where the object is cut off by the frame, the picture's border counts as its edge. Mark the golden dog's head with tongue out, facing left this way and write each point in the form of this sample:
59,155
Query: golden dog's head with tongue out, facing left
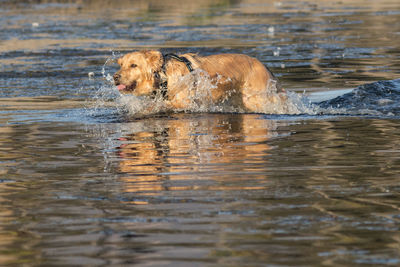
136,75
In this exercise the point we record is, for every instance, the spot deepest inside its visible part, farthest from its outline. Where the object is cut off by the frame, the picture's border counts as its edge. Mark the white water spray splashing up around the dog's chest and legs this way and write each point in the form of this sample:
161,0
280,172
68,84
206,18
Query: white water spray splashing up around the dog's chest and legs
199,100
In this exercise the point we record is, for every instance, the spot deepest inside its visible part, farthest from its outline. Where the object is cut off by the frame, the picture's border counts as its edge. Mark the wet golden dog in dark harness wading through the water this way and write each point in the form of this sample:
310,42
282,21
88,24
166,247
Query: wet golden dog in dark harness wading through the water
237,79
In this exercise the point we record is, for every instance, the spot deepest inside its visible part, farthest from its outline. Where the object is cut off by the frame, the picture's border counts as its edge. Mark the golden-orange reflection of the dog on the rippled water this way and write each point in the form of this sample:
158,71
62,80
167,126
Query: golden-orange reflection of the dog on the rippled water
179,148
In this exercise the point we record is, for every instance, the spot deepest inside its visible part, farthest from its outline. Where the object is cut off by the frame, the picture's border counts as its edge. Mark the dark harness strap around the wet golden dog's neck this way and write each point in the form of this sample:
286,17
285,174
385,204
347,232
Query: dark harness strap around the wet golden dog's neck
160,77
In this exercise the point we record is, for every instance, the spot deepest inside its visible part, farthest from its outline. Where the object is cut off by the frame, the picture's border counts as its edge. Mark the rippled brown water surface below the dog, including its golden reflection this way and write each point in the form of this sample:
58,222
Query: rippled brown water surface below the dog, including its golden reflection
206,189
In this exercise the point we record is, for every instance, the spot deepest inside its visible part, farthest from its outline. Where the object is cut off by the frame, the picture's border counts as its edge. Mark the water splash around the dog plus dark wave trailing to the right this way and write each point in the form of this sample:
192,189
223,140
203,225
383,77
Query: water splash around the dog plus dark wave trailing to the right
377,99
